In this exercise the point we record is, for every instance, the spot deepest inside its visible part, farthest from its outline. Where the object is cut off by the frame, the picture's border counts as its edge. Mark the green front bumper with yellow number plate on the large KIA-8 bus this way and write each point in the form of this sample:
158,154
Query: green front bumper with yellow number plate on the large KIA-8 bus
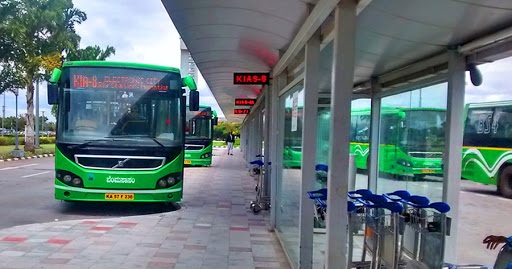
101,195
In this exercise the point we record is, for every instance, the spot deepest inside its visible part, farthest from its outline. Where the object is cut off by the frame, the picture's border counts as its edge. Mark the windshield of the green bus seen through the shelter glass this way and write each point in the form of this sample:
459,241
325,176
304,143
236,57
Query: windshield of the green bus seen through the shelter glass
423,130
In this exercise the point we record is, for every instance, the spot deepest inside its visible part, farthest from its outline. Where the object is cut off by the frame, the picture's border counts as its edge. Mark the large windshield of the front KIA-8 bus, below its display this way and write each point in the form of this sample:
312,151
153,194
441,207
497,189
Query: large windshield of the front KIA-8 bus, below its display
103,113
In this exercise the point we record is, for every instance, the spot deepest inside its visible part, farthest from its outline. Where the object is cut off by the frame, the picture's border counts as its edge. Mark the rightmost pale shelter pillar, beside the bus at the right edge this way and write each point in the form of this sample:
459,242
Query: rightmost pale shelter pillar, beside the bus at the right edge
453,146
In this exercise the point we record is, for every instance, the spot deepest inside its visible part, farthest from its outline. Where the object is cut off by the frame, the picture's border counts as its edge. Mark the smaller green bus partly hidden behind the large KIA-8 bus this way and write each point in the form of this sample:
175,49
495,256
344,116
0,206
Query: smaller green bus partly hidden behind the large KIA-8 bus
199,136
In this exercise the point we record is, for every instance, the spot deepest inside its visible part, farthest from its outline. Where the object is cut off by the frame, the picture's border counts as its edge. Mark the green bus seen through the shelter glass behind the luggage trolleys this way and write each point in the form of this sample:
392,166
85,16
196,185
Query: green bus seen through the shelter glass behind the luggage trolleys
411,140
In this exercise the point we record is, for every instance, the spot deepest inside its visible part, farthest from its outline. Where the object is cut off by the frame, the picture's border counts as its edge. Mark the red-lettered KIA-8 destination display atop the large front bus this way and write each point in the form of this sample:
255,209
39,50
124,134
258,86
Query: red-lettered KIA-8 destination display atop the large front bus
122,79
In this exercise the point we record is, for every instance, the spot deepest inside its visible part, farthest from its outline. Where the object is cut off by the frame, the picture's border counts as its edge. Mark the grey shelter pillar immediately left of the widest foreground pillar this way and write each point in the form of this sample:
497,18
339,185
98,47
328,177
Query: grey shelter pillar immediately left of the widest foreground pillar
309,134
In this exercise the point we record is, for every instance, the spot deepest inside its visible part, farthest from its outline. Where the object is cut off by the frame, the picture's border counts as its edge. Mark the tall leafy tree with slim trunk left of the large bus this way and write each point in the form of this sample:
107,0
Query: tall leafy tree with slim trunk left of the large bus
40,28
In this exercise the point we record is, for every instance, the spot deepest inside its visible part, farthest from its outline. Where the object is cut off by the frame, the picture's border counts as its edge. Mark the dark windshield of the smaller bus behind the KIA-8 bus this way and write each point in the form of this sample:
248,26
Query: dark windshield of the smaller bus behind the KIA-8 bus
198,125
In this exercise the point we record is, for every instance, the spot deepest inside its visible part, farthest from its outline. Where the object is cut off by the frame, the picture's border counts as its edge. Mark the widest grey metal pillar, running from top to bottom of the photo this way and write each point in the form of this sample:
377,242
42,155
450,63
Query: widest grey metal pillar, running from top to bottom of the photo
341,97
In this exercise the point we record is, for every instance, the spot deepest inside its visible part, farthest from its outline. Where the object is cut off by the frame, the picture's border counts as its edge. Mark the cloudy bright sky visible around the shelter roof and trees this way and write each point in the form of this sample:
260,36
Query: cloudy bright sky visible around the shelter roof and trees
141,31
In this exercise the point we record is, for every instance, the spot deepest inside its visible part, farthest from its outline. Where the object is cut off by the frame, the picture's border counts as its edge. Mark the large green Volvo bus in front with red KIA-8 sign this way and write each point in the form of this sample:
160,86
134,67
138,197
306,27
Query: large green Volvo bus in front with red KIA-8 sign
119,131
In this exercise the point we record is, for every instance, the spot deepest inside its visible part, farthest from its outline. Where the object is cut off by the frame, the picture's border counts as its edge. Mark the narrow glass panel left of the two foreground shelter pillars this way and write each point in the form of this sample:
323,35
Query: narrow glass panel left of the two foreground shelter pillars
288,189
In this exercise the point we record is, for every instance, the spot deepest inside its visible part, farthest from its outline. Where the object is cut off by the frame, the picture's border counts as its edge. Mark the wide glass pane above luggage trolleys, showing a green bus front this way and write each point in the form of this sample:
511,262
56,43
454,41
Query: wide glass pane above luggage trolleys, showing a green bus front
412,142
